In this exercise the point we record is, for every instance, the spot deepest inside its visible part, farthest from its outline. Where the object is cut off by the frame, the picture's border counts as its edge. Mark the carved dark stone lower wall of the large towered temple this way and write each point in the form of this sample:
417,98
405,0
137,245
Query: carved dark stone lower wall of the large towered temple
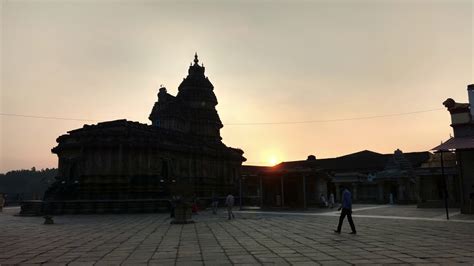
124,172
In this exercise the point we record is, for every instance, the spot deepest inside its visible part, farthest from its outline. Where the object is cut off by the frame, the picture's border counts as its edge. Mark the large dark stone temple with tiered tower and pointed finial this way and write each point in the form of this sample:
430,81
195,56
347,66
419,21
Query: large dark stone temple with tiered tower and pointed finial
120,161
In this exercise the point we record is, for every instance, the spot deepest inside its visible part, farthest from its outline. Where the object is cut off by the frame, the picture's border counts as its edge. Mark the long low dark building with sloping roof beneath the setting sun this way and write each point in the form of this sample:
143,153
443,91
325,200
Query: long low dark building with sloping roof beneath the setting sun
371,177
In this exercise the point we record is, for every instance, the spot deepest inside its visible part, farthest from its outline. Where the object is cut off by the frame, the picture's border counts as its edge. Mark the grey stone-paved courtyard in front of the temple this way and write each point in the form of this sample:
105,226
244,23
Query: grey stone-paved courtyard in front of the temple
386,234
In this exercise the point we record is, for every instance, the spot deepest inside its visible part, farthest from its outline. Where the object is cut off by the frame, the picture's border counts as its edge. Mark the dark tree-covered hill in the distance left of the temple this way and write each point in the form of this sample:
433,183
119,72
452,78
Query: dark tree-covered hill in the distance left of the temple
26,184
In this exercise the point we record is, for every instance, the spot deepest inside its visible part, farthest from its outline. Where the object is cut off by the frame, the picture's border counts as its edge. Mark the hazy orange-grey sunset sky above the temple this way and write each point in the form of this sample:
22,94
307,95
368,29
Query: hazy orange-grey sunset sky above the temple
269,61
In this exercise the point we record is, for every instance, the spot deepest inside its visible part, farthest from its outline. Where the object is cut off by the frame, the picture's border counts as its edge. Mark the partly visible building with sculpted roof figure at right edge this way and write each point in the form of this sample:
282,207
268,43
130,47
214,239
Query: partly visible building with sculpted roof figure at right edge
462,122
